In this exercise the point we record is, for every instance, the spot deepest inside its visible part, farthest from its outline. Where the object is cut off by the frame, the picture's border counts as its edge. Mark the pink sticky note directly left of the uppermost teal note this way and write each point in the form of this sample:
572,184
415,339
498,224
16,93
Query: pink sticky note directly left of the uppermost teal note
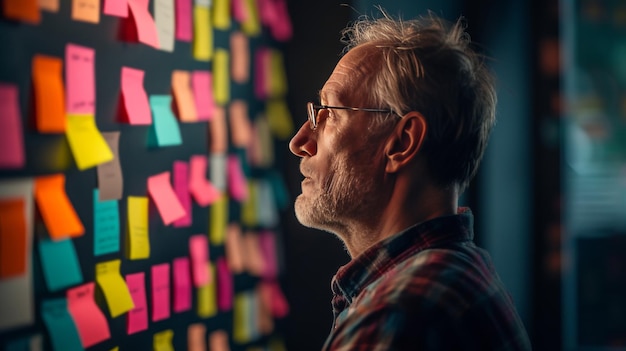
135,99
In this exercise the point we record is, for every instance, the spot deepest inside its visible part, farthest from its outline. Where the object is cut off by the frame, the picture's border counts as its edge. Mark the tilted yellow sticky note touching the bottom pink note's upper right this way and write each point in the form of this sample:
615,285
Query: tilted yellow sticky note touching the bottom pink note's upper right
114,287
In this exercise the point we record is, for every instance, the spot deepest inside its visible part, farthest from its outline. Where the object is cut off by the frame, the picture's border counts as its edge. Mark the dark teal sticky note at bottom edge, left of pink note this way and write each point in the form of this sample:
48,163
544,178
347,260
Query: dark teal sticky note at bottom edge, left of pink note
61,328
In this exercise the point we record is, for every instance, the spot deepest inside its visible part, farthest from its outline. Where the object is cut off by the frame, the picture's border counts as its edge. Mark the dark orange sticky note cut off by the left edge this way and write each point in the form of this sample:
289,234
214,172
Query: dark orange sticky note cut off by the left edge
12,238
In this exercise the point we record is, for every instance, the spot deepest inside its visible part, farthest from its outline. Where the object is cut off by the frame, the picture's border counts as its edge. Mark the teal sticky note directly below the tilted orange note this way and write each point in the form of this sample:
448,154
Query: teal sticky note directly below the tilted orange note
59,263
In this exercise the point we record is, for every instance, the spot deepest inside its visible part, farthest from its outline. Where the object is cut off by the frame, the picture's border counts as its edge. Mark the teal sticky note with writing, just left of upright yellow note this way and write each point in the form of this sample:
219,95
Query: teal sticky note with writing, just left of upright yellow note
106,225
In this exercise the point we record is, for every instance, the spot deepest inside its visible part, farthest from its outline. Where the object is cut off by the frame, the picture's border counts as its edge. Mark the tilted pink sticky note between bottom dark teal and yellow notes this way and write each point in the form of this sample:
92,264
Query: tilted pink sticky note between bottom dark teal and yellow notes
90,321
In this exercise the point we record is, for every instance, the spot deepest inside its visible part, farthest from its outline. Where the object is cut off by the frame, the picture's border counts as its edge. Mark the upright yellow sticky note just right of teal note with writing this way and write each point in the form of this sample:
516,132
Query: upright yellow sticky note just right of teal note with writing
138,238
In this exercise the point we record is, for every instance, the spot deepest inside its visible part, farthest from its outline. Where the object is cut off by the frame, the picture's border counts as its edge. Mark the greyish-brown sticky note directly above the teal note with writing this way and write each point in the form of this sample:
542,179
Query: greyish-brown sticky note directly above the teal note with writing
110,180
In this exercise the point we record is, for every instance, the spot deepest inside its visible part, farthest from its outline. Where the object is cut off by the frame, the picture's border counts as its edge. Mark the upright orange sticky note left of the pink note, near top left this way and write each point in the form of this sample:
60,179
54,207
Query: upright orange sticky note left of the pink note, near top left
49,94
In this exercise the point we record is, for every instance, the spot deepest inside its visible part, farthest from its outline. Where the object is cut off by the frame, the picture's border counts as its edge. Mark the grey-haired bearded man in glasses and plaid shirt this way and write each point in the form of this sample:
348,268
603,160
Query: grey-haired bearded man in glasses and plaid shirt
398,133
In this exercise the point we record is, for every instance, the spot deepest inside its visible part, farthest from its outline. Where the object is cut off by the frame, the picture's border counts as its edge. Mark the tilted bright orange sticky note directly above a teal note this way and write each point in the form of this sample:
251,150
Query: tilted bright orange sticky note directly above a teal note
55,207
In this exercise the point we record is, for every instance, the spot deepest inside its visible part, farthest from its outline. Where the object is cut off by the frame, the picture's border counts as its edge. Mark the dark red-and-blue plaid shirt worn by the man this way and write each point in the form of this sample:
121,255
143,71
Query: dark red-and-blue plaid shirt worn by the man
426,288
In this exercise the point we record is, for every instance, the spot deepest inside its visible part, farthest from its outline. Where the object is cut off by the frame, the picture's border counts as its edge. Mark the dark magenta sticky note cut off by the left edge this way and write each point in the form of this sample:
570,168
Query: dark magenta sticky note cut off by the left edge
11,137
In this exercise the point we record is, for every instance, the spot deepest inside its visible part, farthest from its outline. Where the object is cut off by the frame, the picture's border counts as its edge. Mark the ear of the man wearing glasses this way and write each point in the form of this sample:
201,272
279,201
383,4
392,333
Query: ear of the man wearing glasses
405,142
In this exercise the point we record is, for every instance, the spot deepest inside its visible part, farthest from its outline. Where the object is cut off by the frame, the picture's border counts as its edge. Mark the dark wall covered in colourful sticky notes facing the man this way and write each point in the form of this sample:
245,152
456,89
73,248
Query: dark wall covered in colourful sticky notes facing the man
140,199
